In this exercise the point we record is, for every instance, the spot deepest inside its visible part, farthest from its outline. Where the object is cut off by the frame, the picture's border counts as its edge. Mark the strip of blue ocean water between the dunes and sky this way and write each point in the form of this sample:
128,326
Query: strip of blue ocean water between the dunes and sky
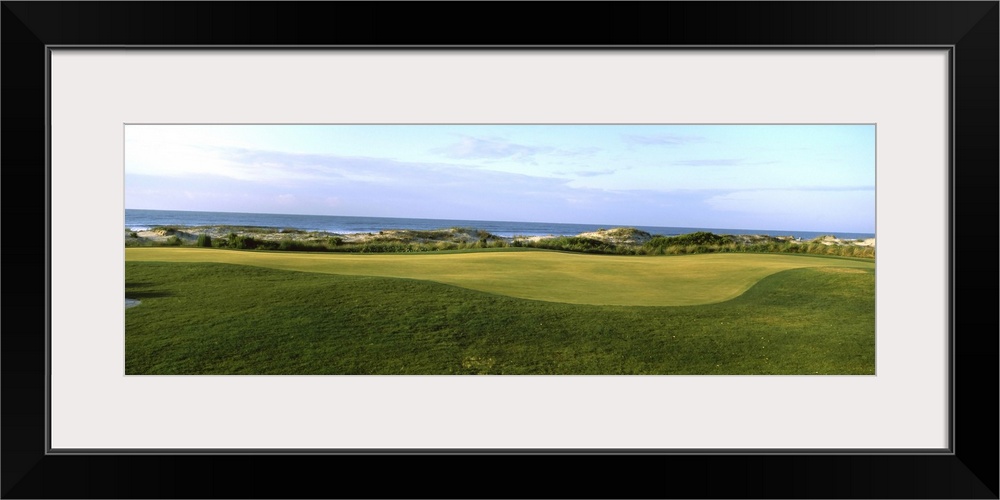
145,219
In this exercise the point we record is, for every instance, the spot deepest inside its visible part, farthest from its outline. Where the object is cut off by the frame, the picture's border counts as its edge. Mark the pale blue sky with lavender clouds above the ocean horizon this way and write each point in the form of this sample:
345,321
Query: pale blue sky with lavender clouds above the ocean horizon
783,177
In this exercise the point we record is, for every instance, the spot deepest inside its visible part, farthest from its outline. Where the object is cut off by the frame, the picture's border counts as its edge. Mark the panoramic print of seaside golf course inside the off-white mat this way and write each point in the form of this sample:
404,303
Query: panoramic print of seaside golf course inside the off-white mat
499,249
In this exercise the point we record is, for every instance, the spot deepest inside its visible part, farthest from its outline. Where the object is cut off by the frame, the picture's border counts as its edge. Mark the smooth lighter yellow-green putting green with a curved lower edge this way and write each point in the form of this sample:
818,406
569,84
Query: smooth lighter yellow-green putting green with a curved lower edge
539,275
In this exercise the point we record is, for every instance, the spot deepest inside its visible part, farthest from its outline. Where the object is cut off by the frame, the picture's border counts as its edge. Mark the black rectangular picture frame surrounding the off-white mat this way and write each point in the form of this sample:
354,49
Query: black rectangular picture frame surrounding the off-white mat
970,470
